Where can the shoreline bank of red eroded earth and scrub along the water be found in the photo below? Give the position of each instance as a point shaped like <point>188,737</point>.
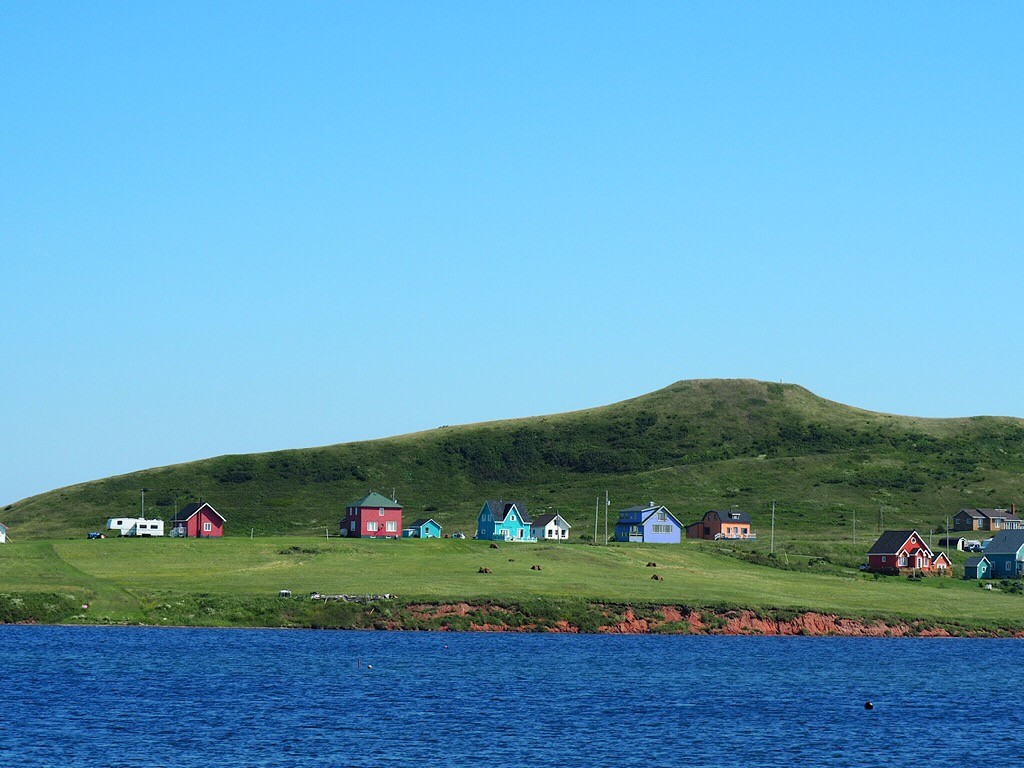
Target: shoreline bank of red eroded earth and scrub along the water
<point>556,617</point>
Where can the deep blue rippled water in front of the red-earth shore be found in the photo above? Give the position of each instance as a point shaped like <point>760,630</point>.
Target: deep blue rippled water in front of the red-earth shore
<point>119,698</point>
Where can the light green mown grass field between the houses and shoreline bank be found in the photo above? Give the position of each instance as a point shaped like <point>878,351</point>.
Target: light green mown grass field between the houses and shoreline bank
<point>133,580</point>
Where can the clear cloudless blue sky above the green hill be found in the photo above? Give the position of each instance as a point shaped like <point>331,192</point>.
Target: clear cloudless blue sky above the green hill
<point>240,228</point>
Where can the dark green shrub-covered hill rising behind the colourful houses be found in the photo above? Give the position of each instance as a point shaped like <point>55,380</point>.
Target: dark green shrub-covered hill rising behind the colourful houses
<point>694,446</point>
